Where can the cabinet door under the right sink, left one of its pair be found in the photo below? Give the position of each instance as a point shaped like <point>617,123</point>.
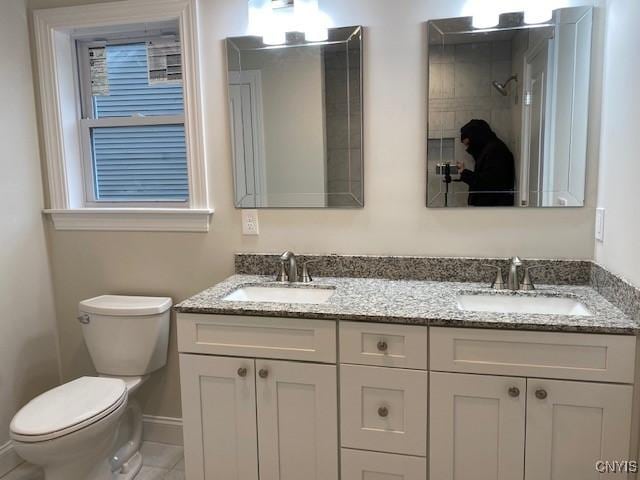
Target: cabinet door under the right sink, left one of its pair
<point>476,427</point>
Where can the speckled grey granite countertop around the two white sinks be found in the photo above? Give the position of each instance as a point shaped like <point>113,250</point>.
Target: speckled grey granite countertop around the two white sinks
<point>414,302</point>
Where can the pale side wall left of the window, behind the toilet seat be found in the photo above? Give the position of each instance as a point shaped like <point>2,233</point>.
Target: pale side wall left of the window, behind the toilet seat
<point>28,344</point>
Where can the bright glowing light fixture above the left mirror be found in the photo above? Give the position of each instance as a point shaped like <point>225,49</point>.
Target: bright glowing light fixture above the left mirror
<point>271,19</point>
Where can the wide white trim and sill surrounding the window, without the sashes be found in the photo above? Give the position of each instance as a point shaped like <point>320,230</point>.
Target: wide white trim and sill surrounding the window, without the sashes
<point>61,116</point>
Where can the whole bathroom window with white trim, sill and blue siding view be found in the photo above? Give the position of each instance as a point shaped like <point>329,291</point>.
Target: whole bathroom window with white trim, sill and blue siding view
<point>122,116</point>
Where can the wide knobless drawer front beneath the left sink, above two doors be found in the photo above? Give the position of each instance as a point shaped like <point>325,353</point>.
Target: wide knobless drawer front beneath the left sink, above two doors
<point>261,337</point>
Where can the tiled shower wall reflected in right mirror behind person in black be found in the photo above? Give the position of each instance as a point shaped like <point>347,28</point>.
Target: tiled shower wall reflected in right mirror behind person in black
<point>460,89</point>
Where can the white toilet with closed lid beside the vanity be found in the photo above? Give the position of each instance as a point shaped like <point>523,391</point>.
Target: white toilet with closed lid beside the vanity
<point>72,431</point>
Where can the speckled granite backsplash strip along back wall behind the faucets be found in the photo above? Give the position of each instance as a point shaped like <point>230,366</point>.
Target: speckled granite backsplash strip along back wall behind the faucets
<point>439,269</point>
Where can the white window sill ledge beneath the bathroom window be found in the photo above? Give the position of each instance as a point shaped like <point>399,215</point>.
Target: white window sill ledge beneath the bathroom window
<point>132,219</point>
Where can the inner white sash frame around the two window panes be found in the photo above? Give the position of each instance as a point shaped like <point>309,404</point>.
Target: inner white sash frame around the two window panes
<point>88,121</point>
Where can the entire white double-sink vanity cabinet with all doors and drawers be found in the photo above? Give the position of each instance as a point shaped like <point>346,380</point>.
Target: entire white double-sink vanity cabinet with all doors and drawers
<point>267,398</point>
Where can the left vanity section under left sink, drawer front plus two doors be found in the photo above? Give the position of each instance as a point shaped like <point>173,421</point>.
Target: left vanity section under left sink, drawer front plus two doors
<point>247,418</point>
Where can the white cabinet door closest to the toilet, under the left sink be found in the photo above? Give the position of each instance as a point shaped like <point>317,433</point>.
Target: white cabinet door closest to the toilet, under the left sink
<point>219,416</point>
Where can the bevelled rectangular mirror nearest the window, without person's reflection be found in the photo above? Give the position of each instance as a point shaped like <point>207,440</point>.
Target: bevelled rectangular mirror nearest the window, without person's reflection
<point>296,121</point>
